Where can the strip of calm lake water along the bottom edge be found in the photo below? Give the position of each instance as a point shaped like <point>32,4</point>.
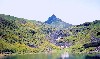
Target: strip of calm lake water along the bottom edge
<point>53,56</point>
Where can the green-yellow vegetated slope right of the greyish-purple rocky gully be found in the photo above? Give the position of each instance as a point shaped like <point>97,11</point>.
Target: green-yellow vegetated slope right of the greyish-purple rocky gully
<point>85,37</point>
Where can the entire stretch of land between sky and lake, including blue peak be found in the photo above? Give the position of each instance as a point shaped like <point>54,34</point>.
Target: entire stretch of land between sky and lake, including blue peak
<point>19,35</point>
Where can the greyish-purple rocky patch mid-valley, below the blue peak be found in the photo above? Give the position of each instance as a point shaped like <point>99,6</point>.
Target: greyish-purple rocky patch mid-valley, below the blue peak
<point>59,34</point>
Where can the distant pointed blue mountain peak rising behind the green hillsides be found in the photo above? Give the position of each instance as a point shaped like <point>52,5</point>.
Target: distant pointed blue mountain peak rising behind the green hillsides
<point>57,23</point>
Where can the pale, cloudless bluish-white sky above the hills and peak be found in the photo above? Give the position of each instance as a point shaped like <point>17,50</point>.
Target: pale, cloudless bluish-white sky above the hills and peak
<point>71,11</point>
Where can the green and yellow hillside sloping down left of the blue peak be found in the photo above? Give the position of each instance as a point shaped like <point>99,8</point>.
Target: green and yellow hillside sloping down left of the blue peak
<point>18,35</point>
